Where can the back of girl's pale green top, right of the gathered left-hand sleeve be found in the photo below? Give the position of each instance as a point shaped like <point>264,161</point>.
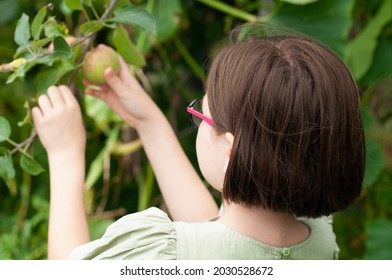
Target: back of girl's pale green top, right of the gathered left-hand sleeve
<point>214,240</point>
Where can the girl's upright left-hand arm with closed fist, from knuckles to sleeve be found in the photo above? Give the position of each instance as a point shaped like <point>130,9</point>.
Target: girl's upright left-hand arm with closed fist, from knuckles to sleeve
<point>59,125</point>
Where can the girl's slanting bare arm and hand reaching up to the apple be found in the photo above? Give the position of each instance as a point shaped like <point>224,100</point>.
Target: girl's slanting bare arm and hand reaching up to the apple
<point>184,192</point>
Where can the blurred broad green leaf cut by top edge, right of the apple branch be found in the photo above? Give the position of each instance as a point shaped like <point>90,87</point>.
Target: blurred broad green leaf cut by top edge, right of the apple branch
<point>167,15</point>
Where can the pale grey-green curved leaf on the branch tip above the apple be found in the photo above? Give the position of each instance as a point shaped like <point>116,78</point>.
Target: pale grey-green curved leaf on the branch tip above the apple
<point>136,17</point>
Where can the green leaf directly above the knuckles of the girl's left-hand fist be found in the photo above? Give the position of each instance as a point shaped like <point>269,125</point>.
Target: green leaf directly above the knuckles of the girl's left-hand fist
<point>52,75</point>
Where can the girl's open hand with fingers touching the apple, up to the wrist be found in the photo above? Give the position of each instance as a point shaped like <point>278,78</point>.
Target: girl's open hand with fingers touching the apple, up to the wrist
<point>124,95</point>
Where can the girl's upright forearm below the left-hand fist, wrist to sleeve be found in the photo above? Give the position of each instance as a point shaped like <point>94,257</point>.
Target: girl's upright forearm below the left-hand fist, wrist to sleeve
<point>67,221</point>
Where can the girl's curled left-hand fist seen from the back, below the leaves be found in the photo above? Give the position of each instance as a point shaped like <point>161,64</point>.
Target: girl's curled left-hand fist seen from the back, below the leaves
<point>58,121</point>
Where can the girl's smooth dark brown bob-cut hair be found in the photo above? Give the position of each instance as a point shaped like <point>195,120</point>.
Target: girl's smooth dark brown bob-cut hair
<point>294,110</point>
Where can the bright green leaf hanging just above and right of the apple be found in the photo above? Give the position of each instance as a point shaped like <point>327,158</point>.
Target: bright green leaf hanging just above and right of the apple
<point>124,46</point>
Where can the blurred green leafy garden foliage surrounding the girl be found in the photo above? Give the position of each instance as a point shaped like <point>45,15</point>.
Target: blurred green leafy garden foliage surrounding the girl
<point>168,43</point>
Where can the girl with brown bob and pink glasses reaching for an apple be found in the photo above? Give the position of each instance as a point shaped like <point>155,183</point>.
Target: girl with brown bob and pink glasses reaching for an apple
<point>279,134</point>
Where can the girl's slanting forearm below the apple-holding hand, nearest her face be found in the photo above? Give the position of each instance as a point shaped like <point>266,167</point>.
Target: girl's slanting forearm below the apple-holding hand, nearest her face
<point>185,194</point>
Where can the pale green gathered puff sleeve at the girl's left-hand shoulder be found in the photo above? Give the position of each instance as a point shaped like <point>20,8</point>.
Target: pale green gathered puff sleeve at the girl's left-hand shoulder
<point>149,234</point>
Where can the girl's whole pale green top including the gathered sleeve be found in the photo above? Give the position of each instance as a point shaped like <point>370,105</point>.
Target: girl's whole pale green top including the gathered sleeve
<point>151,235</point>
